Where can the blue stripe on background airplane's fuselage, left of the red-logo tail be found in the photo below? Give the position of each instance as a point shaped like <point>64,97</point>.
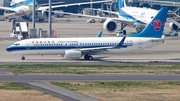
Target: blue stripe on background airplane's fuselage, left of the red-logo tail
<point>129,17</point>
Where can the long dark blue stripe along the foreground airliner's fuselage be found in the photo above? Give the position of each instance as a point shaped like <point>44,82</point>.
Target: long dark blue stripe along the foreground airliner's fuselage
<point>24,48</point>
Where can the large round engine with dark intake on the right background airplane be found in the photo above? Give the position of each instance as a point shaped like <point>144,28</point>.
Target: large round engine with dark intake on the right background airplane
<point>110,25</point>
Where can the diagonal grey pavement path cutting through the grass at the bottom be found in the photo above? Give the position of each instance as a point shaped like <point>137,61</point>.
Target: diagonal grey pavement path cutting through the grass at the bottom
<point>58,92</point>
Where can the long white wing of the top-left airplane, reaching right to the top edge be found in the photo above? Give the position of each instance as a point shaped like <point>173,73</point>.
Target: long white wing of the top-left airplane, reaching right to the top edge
<point>74,4</point>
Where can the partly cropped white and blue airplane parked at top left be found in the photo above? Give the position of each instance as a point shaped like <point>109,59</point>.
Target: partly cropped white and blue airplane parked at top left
<point>24,7</point>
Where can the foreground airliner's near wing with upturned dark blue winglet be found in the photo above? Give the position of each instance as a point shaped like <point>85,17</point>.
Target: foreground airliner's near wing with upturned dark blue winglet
<point>98,50</point>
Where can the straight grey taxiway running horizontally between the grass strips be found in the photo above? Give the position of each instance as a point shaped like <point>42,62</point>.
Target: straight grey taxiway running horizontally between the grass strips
<point>68,78</point>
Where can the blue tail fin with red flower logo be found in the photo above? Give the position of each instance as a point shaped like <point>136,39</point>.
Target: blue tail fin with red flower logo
<point>156,27</point>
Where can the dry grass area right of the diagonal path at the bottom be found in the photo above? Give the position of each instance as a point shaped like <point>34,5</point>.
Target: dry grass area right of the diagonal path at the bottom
<point>126,91</point>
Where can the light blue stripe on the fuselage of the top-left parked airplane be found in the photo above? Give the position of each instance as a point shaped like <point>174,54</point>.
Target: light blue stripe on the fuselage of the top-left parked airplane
<point>27,2</point>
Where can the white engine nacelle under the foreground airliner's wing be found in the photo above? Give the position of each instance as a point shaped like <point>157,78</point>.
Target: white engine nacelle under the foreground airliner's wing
<point>73,54</point>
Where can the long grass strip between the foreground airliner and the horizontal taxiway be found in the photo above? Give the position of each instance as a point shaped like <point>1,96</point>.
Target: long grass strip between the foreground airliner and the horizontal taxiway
<point>93,69</point>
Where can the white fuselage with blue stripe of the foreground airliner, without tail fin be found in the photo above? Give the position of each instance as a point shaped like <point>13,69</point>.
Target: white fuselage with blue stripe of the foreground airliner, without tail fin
<point>56,46</point>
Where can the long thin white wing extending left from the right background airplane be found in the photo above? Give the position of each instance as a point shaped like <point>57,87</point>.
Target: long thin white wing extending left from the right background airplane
<point>119,19</point>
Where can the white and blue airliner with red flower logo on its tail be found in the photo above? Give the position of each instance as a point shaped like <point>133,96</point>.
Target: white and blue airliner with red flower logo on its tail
<point>75,48</point>
